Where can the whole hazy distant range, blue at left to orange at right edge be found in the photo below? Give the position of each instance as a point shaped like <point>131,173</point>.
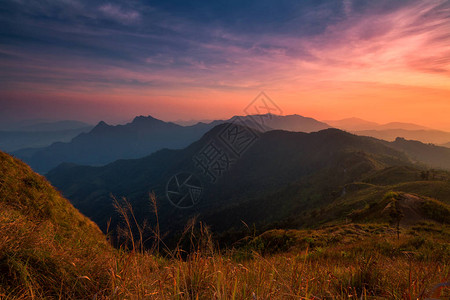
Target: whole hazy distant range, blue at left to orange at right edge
<point>145,135</point>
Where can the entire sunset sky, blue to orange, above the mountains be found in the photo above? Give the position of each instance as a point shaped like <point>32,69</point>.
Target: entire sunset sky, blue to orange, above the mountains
<point>111,60</point>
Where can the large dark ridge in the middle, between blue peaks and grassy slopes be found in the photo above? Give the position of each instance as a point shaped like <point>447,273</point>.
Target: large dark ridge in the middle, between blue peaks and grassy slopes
<point>294,158</point>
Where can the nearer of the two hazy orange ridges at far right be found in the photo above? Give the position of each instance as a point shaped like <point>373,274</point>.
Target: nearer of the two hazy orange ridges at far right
<point>426,136</point>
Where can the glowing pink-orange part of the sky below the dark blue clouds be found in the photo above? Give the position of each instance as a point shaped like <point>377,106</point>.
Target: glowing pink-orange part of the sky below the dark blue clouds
<point>382,67</point>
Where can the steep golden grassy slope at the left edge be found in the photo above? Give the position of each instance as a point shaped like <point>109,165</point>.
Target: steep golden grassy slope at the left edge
<point>46,246</point>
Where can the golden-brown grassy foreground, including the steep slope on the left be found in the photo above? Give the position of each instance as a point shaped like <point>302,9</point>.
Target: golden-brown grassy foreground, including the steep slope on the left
<point>49,250</point>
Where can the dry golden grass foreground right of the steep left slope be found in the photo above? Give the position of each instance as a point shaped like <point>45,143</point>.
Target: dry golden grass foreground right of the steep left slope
<point>369,265</point>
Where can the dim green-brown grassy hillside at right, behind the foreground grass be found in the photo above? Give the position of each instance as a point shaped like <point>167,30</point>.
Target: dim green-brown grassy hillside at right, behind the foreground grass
<point>297,205</point>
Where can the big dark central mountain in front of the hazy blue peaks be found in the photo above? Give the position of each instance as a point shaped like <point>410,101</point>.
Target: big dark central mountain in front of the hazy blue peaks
<point>279,176</point>
